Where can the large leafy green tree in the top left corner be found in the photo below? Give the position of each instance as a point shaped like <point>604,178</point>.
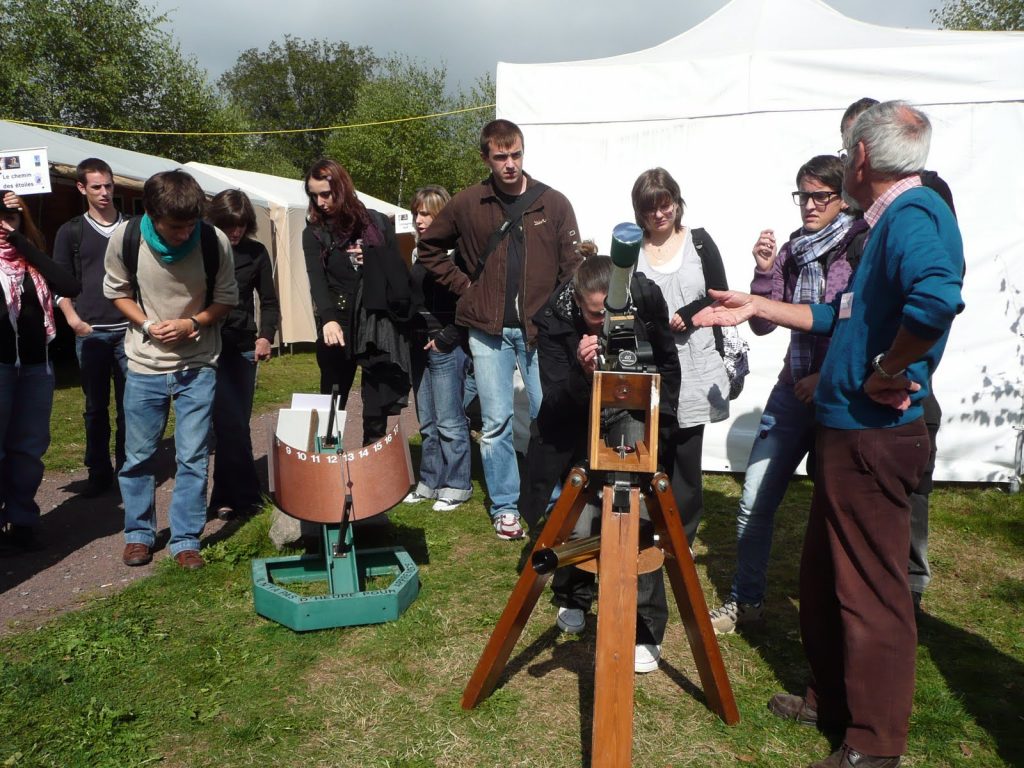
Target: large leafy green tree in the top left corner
<point>108,64</point>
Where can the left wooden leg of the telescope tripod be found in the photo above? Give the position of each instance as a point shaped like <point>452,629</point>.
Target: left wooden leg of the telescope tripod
<point>526,594</point>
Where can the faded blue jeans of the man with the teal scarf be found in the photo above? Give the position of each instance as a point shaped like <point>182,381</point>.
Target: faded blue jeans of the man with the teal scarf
<point>148,402</point>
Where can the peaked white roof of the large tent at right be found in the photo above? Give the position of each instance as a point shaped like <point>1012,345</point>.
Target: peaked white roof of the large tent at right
<point>766,56</point>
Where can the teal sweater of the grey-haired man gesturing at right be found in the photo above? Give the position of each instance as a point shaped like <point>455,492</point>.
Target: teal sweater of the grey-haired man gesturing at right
<point>911,275</point>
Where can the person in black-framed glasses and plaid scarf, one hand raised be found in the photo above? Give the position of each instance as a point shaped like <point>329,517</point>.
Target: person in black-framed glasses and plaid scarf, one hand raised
<point>815,266</point>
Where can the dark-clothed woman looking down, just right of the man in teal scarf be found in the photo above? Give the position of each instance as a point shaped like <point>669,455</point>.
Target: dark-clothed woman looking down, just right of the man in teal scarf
<point>236,483</point>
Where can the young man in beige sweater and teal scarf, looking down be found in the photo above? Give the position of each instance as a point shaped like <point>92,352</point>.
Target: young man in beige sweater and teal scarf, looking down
<point>173,348</point>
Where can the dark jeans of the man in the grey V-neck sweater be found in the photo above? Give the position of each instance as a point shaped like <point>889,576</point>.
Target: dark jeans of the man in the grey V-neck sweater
<point>101,358</point>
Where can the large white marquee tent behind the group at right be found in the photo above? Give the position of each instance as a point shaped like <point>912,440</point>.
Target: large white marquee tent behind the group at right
<point>734,107</point>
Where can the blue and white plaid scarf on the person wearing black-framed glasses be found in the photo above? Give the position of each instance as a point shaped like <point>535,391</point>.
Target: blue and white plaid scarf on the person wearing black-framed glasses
<point>808,251</point>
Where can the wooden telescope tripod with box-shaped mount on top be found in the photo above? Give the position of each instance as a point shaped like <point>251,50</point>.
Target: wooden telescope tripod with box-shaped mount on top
<point>625,472</point>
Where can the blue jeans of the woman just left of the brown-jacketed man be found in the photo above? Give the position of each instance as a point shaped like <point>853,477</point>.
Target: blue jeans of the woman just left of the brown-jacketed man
<point>445,467</point>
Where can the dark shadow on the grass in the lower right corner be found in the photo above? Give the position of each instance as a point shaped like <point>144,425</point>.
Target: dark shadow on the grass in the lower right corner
<point>989,685</point>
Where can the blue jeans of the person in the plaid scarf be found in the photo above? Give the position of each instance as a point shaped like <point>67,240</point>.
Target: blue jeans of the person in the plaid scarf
<point>785,436</point>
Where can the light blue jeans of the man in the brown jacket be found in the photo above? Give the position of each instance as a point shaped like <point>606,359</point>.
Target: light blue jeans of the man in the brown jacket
<point>495,360</point>
